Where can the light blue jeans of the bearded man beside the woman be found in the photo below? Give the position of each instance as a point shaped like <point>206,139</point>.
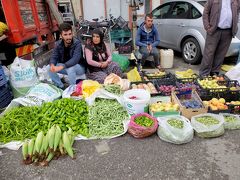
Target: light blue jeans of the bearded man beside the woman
<point>72,73</point>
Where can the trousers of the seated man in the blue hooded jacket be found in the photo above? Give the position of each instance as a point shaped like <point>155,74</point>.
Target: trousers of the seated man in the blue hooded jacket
<point>145,53</point>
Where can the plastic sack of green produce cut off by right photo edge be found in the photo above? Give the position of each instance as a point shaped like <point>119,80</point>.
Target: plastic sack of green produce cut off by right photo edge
<point>231,121</point>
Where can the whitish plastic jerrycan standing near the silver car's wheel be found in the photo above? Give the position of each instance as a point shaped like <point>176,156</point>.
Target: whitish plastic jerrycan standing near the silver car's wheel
<point>166,57</point>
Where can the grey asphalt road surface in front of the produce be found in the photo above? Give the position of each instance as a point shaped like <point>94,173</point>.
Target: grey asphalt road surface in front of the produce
<point>129,158</point>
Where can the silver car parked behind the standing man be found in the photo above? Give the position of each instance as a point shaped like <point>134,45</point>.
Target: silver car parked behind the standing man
<point>180,26</point>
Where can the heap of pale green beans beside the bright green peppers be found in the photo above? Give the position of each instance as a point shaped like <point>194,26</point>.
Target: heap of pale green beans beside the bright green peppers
<point>106,118</point>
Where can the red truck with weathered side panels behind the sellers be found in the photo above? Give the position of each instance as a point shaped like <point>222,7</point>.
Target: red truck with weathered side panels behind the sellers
<point>31,25</point>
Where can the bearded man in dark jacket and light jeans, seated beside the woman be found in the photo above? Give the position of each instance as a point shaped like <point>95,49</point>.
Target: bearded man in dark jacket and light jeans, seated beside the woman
<point>66,57</point>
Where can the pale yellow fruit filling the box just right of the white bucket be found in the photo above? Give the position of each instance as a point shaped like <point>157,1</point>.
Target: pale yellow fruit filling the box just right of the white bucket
<point>164,106</point>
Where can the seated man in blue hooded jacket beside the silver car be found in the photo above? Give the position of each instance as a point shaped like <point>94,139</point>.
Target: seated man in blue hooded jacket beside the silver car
<point>147,39</point>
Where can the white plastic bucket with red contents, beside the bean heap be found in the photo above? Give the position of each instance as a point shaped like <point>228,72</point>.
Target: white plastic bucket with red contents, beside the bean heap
<point>138,105</point>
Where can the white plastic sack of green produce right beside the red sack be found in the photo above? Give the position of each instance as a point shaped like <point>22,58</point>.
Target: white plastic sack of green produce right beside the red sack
<point>175,129</point>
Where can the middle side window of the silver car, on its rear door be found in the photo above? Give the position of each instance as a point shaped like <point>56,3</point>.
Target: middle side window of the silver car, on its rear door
<point>180,11</point>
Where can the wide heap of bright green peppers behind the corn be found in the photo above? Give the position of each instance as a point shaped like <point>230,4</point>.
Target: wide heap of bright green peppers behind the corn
<point>25,122</point>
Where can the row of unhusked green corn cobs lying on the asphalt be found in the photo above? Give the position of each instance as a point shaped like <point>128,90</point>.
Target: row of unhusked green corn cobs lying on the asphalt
<point>54,144</point>
